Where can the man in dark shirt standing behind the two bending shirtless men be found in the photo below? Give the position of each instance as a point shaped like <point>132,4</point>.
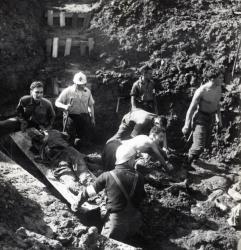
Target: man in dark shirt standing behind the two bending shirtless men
<point>142,92</point>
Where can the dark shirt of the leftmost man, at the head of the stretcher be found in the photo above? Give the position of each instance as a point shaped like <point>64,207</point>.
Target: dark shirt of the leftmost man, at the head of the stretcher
<point>38,113</point>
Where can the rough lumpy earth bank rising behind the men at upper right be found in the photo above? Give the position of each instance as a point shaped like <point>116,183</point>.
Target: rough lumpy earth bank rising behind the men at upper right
<point>180,41</point>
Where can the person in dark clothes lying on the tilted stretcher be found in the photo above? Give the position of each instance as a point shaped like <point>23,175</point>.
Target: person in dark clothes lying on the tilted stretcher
<point>66,163</point>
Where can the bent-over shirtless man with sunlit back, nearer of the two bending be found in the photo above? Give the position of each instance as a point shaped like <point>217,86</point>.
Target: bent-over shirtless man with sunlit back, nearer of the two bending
<point>151,144</point>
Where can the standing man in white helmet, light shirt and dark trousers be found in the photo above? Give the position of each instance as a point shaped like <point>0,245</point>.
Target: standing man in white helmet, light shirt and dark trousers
<point>78,105</point>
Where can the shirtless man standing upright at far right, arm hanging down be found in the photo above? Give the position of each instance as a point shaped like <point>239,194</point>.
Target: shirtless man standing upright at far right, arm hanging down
<point>202,112</point>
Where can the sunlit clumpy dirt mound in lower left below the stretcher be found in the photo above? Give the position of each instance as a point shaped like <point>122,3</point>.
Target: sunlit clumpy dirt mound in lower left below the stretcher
<point>32,218</point>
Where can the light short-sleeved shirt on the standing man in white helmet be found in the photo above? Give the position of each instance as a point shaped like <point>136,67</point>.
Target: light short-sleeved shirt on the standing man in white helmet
<point>81,99</point>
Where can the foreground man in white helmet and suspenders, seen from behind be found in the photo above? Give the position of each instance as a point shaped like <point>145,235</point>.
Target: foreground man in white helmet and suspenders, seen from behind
<point>125,191</point>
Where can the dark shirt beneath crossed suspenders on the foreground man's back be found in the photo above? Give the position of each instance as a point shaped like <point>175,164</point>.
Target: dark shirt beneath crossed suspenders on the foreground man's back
<point>116,200</point>
